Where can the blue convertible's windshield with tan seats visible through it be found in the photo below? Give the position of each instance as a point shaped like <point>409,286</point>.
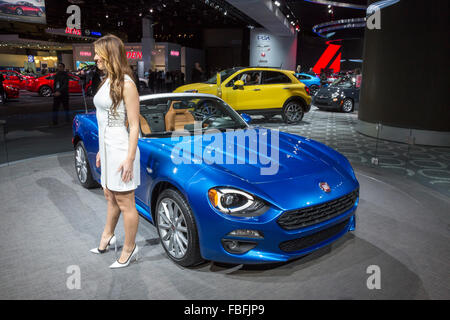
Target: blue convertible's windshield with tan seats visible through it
<point>186,114</point>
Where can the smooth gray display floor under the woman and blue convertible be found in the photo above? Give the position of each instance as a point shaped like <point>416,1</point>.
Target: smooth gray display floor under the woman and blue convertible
<point>48,223</point>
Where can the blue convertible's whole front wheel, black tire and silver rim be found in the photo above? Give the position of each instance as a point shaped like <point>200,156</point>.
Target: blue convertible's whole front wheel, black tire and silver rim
<point>188,245</point>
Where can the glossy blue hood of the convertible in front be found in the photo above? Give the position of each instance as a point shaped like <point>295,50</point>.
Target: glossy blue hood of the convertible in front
<point>289,156</point>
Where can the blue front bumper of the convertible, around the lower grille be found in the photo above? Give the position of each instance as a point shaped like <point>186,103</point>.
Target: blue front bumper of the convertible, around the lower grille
<point>277,244</point>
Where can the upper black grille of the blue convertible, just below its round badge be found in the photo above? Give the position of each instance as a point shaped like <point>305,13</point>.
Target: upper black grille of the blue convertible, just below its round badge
<point>304,217</point>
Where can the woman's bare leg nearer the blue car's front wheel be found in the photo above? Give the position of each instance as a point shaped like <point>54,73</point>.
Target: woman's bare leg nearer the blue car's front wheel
<point>127,205</point>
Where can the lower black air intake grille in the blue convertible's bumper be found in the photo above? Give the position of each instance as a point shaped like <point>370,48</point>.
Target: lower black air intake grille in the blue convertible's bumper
<point>315,238</point>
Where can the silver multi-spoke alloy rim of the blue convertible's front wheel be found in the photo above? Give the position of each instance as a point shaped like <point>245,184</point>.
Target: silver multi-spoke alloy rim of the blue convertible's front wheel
<point>172,228</point>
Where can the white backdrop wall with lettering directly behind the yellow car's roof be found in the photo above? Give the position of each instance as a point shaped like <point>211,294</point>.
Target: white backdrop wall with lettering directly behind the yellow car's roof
<point>268,50</point>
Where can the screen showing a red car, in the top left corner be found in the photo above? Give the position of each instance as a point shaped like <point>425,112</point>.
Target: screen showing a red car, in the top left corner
<point>32,11</point>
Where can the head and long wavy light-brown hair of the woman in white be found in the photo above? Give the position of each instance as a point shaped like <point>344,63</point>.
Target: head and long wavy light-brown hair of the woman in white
<point>112,50</point>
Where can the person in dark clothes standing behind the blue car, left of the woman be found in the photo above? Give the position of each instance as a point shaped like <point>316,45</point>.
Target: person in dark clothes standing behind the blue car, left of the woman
<point>61,93</point>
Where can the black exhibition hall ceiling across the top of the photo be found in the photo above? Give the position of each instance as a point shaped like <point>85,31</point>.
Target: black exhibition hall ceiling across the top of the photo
<point>180,21</point>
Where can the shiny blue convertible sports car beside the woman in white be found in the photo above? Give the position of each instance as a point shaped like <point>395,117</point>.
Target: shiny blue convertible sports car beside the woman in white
<point>218,189</point>
